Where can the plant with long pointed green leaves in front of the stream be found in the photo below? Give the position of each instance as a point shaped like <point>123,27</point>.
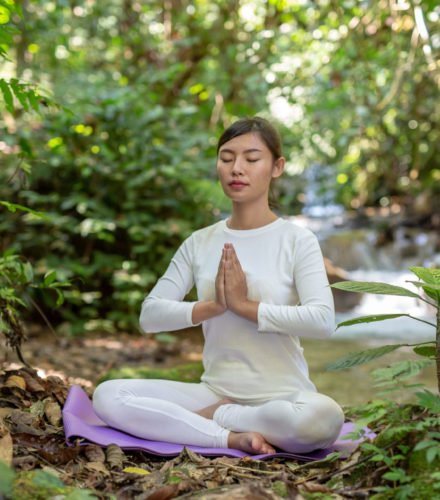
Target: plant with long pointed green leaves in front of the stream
<point>430,284</point>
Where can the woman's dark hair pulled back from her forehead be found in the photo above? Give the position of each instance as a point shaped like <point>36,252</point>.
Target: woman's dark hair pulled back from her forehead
<point>266,130</point>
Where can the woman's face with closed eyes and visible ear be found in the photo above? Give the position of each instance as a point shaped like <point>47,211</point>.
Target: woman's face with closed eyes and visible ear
<point>245,167</point>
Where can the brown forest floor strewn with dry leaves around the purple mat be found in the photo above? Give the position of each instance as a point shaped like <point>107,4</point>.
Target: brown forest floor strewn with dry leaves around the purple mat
<point>32,437</point>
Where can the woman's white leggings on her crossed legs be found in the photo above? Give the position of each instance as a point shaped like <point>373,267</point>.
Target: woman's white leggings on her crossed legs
<point>163,410</point>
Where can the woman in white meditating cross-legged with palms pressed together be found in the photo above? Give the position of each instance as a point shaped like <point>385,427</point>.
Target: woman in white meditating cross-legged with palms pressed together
<point>261,284</point>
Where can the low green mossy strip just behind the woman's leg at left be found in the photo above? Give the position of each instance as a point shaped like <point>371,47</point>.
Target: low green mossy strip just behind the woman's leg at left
<point>190,372</point>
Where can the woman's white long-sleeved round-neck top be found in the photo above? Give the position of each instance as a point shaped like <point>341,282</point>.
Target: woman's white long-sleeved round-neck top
<point>285,273</point>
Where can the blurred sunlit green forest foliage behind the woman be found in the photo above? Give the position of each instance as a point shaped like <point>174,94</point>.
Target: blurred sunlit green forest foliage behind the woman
<point>125,167</point>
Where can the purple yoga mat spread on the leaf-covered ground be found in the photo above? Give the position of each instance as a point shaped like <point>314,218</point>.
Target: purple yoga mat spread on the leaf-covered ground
<point>81,421</point>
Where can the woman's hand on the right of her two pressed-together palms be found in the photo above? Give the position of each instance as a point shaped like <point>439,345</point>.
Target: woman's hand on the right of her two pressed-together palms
<point>235,280</point>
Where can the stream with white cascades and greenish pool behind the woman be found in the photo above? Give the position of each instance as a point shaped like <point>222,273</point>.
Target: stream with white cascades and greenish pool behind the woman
<point>364,255</point>
